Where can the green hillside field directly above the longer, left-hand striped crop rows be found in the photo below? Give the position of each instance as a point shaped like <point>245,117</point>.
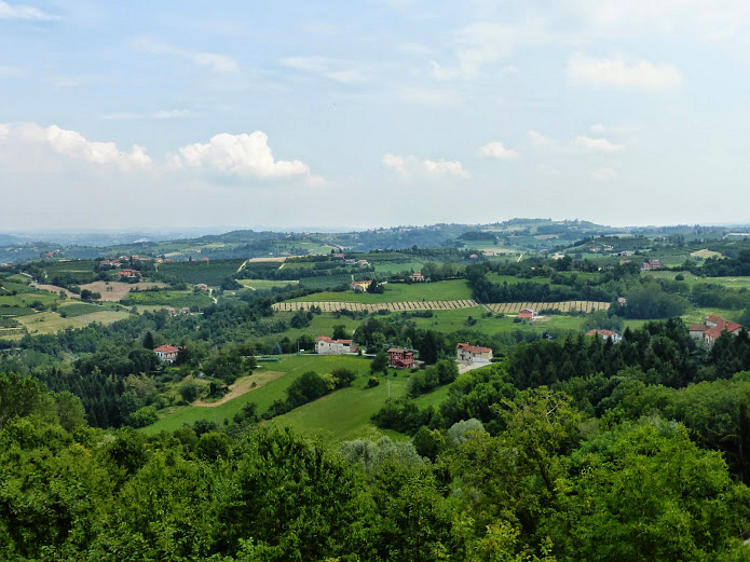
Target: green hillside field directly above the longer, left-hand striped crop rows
<point>398,292</point>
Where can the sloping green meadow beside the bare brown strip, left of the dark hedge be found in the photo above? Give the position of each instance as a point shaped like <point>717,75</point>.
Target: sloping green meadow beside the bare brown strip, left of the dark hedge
<point>293,366</point>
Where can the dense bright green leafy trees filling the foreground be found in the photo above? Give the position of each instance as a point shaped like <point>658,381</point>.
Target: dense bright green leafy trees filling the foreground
<point>553,483</point>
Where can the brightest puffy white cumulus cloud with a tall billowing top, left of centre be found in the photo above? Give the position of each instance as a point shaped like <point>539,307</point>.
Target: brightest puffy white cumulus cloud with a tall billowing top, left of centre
<point>243,154</point>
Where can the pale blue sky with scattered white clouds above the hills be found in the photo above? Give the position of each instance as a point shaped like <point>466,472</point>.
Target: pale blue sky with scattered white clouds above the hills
<point>123,115</point>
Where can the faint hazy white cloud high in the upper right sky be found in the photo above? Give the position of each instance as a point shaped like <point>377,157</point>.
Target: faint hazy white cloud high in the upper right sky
<point>621,73</point>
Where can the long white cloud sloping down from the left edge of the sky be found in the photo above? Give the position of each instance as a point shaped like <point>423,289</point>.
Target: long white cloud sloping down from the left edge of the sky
<point>74,145</point>
